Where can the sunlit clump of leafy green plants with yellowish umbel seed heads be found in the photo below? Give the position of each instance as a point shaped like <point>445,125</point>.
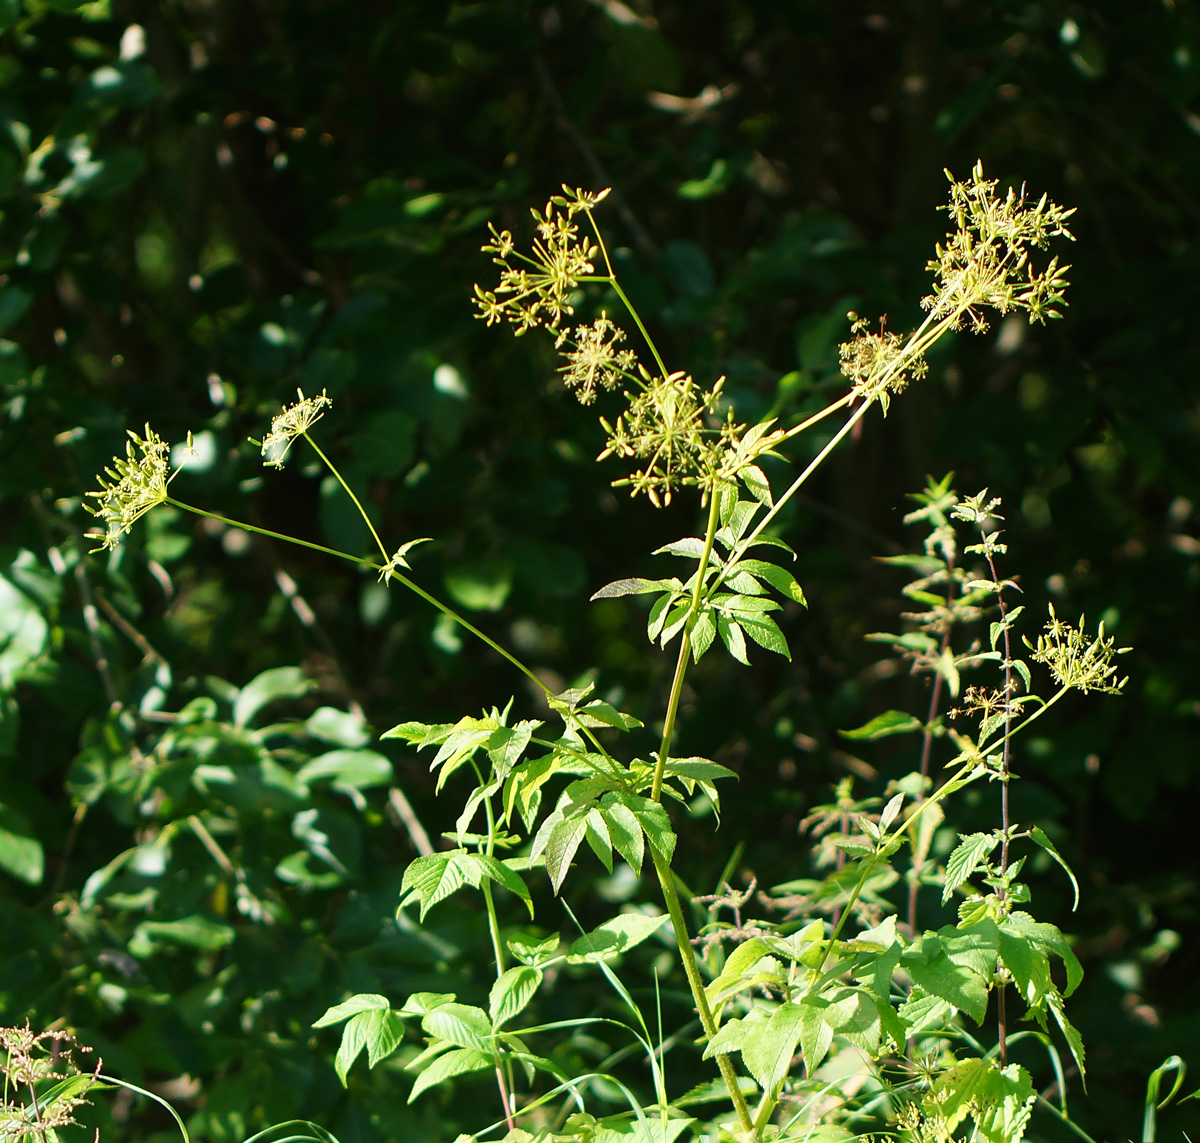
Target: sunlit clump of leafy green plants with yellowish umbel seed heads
<point>836,1015</point>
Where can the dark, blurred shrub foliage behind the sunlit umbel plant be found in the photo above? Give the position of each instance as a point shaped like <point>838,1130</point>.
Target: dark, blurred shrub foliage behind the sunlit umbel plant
<point>207,204</point>
